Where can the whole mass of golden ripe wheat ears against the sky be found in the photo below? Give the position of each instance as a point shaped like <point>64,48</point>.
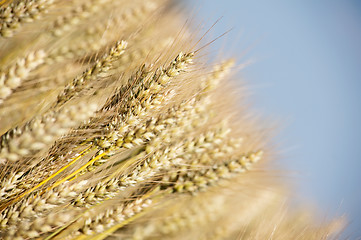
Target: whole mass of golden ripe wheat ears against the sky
<point>115,125</point>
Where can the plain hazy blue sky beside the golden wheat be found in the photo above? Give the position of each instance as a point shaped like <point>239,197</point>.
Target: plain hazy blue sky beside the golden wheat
<point>306,74</point>
